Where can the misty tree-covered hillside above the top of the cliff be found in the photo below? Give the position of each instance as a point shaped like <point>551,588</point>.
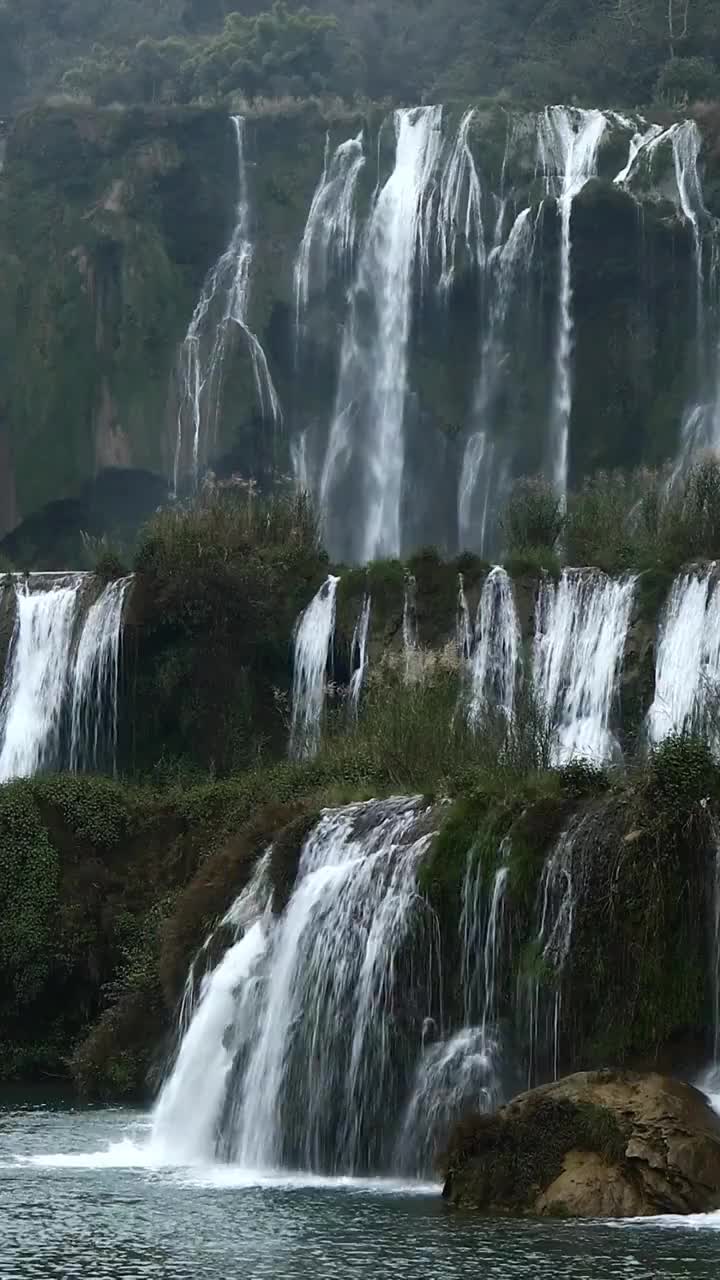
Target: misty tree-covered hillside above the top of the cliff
<point>622,53</point>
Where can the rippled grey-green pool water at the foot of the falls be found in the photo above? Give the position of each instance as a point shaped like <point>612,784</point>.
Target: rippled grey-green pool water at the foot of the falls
<point>80,1197</point>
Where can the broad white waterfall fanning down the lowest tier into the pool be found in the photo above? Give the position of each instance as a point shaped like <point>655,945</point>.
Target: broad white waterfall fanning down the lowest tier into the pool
<point>308,1032</point>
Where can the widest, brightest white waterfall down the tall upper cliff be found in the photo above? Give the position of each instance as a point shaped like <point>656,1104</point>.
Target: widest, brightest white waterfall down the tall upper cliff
<point>368,424</point>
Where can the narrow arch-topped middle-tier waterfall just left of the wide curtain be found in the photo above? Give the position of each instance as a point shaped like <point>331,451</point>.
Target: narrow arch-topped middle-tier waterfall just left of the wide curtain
<point>496,660</point>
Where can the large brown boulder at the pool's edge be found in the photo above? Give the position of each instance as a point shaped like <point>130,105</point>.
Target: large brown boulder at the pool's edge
<point>596,1145</point>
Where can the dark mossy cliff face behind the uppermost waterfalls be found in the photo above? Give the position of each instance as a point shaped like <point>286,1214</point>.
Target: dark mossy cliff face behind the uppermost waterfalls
<point>111,222</point>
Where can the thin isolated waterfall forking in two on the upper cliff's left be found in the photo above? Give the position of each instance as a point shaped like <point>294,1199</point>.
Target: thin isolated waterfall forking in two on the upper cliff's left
<point>221,309</point>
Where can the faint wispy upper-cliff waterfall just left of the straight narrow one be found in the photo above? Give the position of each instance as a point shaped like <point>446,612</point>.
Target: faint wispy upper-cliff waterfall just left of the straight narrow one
<point>473,499</point>
